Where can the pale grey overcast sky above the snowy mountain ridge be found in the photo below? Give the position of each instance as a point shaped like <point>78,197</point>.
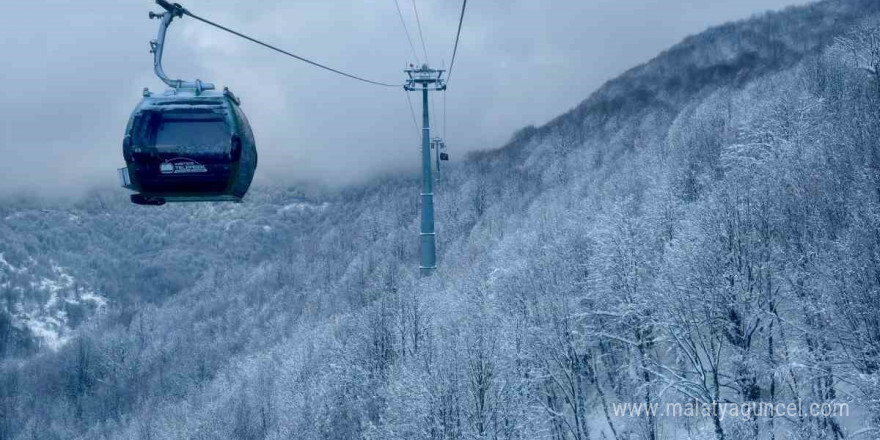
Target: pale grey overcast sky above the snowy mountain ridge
<point>73,71</point>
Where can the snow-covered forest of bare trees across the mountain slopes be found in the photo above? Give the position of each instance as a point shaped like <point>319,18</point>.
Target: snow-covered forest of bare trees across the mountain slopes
<point>704,228</point>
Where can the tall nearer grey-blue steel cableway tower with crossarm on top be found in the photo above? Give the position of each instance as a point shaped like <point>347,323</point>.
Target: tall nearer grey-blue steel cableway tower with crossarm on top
<point>426,80</point>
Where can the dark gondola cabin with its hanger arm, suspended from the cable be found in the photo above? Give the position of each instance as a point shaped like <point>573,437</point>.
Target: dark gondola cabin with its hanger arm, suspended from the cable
<point>188,144</point>
